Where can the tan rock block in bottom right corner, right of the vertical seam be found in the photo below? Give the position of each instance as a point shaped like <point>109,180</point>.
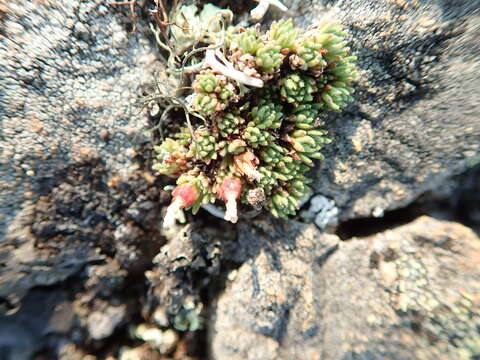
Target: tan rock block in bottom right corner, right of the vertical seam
<point>404,293</point>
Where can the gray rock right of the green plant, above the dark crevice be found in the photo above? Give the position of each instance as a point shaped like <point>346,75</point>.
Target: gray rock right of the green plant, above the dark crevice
<point>414,122</point>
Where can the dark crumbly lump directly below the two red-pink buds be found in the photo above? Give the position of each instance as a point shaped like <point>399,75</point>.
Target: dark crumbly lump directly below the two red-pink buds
<point>184,269</point>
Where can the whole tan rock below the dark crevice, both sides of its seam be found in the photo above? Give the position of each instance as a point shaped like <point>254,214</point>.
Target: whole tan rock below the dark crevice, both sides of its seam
<point>411,292</point>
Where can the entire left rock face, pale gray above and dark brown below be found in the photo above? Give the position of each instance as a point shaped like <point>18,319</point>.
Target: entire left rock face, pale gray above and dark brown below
<point>78,211</point>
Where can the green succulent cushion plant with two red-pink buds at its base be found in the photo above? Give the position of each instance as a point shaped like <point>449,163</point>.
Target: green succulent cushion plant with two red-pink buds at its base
<point>260,137</point>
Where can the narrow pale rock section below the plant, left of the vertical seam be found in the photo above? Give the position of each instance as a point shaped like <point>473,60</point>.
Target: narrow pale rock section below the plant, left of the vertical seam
<point>274,285</point>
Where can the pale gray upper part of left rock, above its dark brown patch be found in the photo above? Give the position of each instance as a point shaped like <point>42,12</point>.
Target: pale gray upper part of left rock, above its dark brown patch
<point>69,94</point>
